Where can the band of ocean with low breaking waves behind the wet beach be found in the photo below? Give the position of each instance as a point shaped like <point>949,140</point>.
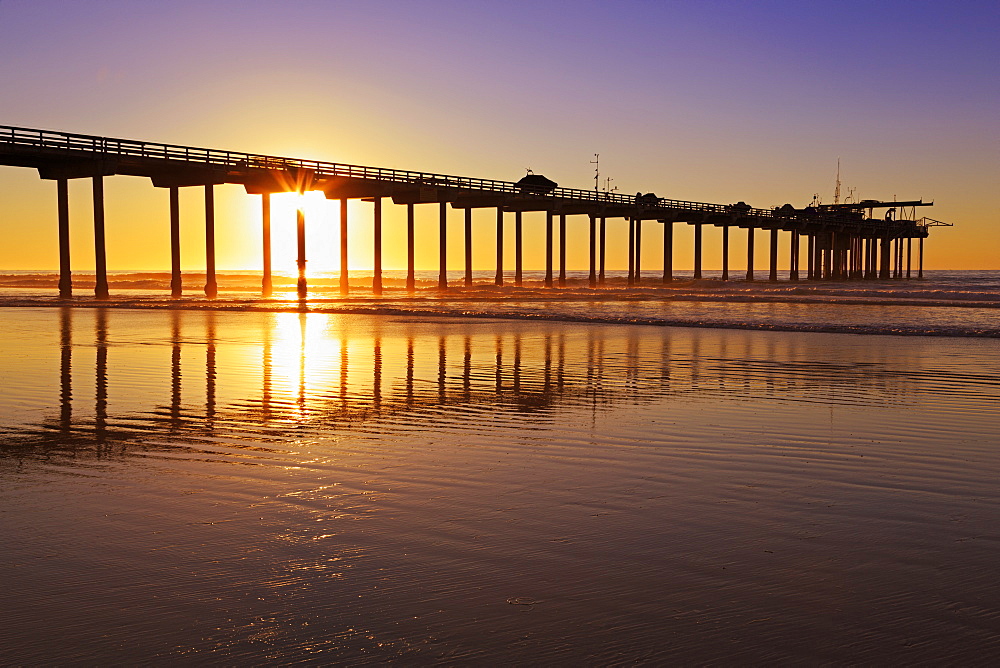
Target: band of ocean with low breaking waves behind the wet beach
<point>944,303</point>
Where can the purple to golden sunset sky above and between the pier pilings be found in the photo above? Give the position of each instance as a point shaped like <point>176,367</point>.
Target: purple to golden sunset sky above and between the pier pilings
<point>715,101</point>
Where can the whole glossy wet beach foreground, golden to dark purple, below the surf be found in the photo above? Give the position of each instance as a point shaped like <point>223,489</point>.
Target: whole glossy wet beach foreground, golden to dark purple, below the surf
<point>239,487</point>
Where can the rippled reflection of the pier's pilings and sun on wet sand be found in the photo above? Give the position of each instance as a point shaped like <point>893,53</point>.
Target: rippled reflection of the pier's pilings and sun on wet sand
<point>320,371</point>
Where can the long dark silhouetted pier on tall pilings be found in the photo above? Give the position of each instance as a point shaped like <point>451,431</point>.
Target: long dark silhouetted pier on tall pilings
<point>843,241</point>
